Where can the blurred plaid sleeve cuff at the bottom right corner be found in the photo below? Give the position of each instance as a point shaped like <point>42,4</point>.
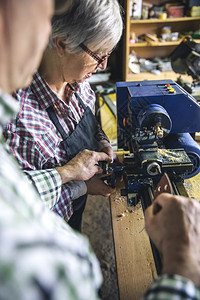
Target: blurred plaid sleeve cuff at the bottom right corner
<point>172,287</point>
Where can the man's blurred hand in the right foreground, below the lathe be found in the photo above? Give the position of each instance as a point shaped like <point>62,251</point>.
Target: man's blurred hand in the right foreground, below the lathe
<point>175,230</point>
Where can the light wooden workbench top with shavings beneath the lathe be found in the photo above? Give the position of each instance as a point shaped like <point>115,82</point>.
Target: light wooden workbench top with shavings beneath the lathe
<point>135,265</point>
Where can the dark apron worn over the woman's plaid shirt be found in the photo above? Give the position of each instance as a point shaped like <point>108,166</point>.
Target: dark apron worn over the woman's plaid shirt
<point>83,137</point>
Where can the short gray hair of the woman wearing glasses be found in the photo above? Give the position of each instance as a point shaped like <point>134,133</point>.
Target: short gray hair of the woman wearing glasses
<point>96,23</point>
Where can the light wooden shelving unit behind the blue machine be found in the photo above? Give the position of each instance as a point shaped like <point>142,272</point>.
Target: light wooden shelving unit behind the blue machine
<point>155,49</point>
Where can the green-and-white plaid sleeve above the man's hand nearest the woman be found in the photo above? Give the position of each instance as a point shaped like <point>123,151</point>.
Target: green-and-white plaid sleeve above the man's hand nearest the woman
<point>48,184</point>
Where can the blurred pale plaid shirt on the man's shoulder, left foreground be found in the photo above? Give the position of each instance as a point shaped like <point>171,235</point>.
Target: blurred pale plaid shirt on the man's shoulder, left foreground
<point>41,257</point>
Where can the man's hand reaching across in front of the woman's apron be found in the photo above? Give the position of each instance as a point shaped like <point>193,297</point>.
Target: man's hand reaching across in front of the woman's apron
<point>83,166</point>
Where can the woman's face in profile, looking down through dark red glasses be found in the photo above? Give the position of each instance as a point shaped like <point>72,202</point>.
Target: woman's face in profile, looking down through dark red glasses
<point>79,67</point>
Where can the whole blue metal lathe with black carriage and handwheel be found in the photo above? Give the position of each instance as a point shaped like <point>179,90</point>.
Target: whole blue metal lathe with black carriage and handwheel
<point>155,120</point>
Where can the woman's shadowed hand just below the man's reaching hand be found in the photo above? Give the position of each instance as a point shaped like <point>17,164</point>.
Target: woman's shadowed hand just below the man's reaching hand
<point>95,186</point>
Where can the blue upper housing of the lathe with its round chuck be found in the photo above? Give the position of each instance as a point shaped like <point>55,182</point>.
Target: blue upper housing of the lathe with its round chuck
<point>158,114</point>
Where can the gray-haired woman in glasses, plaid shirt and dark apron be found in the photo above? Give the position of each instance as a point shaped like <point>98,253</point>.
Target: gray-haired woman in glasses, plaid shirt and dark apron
<point>56,119</point>
